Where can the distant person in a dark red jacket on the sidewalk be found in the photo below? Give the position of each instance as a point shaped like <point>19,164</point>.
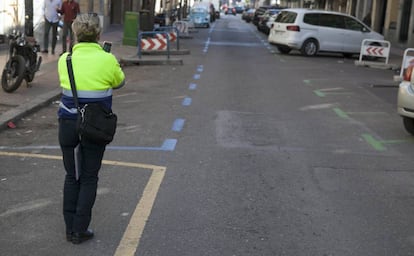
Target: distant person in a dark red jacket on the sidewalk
<point>70,9</point>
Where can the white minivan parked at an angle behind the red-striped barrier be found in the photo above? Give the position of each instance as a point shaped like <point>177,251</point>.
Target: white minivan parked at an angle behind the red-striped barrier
<point>313,31</point>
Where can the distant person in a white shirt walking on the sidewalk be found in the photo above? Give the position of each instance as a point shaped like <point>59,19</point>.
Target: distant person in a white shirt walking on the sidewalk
<point>51,16</point>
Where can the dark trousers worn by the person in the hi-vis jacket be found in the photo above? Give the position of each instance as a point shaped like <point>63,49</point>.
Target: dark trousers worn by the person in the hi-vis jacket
<point>78,194</point>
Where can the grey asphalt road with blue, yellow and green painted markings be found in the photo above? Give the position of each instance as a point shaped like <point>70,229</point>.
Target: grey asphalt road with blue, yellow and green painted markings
<point>240,151</point>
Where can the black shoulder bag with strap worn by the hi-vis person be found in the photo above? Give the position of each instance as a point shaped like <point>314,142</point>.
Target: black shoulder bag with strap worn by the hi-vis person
<point>95,122</point>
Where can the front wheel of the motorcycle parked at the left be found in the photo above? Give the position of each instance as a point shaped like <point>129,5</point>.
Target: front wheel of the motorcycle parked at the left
<point>12,77</point>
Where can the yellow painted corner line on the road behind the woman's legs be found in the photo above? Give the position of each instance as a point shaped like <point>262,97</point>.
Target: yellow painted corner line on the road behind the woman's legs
<point>132,235</point>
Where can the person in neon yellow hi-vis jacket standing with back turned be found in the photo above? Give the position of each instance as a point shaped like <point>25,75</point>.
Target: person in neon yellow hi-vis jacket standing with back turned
<point>96,73</point>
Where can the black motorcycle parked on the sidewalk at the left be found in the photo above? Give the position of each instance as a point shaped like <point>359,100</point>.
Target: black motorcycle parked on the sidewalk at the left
<point>22,61</point>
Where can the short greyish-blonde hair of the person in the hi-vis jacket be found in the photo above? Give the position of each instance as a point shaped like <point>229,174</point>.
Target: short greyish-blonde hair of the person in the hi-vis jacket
<point>86,27</point>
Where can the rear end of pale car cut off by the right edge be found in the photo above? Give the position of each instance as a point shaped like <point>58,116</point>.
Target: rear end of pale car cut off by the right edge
<point>405,100</point>
